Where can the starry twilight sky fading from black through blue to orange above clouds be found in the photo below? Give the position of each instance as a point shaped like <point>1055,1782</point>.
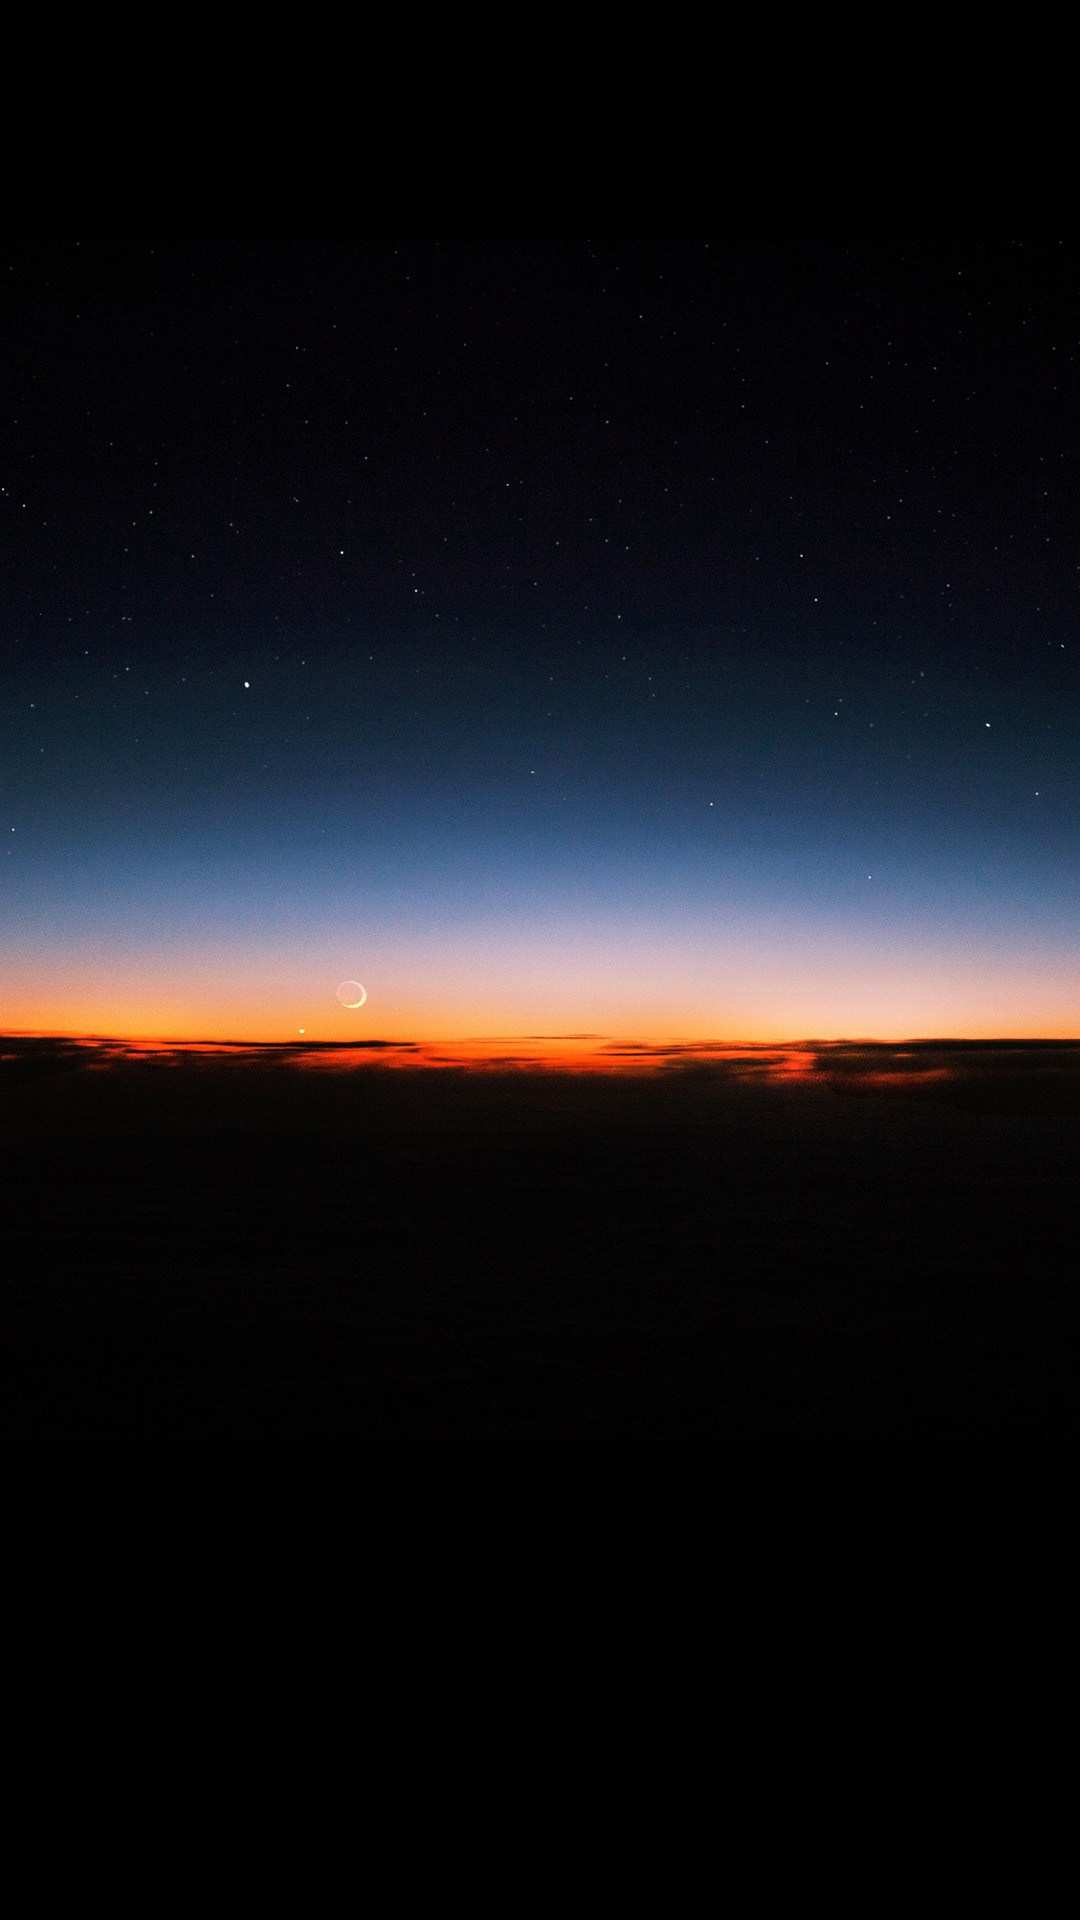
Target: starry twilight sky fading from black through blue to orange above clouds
<point>639,640</point>
